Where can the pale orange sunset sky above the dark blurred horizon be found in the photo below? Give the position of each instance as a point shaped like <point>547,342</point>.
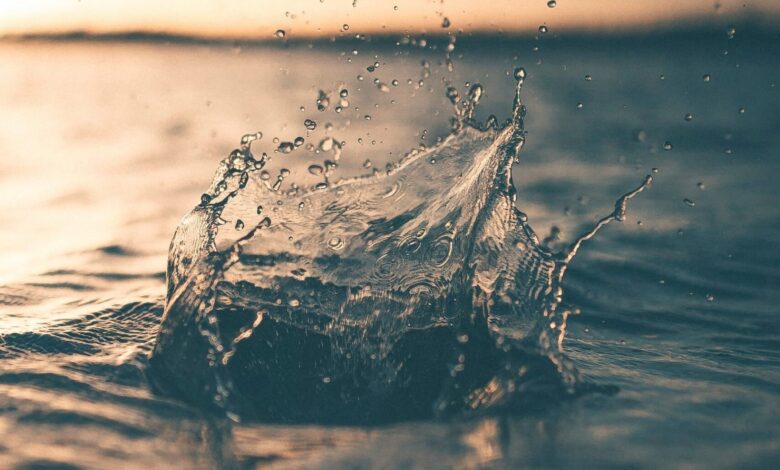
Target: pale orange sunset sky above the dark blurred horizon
<point>317,18</point>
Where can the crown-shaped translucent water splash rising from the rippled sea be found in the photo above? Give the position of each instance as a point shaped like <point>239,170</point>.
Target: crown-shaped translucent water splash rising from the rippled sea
<point>414,292</point>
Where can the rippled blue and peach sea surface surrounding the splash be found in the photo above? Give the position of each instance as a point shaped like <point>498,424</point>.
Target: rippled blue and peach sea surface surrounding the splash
<point>106,145</point>
